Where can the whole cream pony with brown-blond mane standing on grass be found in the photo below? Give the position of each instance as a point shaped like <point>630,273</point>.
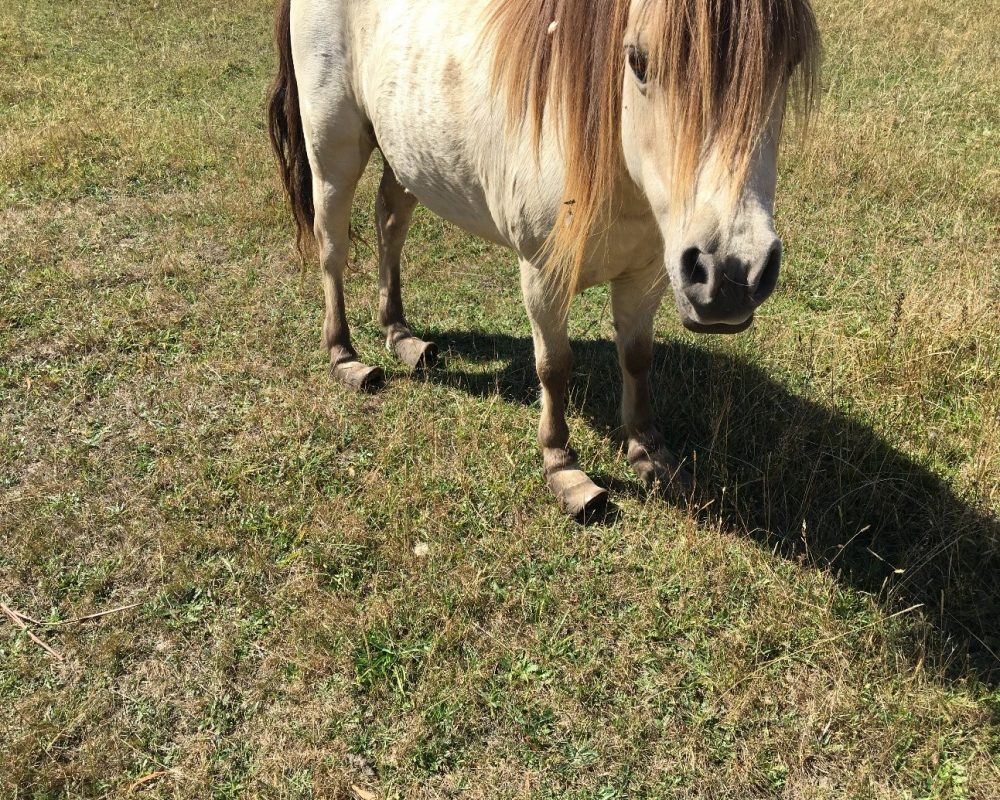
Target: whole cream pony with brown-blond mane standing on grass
<point>630,142</point>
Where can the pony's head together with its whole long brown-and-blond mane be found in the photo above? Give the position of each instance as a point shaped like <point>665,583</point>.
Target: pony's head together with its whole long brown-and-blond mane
<point>685,97</point>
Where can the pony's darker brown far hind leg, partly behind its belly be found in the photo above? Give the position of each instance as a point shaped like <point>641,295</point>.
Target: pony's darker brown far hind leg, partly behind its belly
<point>394,209</point>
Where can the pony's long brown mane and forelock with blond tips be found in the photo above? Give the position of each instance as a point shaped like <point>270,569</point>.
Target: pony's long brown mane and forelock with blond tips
<point>720,64</point>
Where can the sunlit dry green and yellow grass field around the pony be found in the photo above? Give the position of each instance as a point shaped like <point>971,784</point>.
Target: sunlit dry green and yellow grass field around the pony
<point>346,596</point>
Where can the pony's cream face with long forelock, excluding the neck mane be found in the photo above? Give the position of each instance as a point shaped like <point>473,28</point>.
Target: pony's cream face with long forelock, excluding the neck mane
<point>702,109</point>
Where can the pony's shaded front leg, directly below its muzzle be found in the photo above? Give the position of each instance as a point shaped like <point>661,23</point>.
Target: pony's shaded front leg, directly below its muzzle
<point>634,302</point>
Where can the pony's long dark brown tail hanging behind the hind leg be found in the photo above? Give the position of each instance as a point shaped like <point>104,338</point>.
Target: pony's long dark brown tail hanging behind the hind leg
<point>285,126</point>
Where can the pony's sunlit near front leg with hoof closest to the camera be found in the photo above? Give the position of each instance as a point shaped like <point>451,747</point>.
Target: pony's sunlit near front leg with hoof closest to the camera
<point>579,496</point>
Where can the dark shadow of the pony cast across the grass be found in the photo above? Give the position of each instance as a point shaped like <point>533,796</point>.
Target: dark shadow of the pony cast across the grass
<point>806,481</point>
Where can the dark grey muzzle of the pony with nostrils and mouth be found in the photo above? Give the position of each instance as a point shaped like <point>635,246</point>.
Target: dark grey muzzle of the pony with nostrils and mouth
<point>718,293</point>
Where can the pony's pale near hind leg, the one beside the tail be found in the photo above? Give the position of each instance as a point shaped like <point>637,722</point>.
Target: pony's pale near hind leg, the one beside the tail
<point>335,180</point>
